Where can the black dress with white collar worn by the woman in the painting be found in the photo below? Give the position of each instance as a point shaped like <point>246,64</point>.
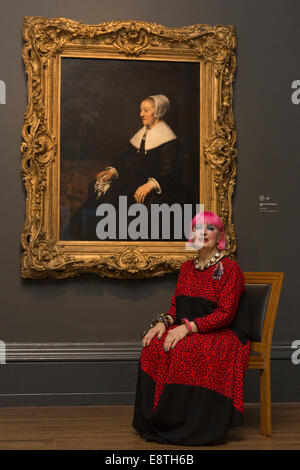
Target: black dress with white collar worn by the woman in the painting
<point>158,158</point>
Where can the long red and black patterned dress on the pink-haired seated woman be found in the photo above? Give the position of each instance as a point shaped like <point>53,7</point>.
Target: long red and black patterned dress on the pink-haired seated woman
<point>193,393</point>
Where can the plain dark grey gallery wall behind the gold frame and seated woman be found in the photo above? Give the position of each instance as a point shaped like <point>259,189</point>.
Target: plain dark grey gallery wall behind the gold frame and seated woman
<point>112,313</point>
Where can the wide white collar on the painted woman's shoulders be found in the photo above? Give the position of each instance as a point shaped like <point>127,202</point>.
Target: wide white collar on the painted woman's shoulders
<point>158,135</point>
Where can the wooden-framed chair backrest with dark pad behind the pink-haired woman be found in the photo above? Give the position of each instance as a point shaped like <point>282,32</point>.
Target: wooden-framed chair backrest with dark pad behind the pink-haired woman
<point>263,291</point>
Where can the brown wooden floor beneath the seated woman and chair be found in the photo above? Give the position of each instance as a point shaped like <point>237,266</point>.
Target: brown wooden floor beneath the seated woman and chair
<point>109,428</point>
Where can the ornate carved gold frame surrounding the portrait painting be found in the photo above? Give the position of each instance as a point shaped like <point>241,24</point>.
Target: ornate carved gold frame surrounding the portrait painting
<point>45,41</point>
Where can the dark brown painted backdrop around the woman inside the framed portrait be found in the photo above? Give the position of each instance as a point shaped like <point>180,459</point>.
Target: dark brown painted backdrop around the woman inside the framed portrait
<point>100,108</point>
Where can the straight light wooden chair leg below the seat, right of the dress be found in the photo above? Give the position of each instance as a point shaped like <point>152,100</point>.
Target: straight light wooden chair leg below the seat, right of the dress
<point>265,401</point>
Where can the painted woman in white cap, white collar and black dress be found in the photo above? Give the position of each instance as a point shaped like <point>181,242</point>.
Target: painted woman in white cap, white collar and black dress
<point>149,171</point>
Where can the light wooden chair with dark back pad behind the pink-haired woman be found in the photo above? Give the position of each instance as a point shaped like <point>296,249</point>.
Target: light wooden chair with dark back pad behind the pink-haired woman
<point>263,291</point>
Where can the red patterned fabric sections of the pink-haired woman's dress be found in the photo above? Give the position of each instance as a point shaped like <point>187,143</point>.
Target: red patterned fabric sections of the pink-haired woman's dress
<point>213,358</point>
